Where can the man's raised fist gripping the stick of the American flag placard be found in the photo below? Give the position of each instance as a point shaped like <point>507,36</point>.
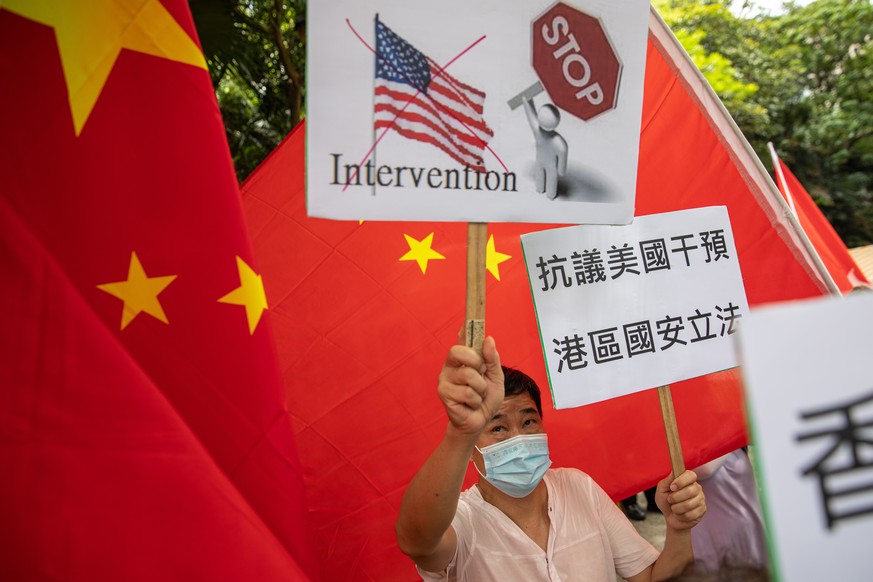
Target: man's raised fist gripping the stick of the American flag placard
<point>471,386</point>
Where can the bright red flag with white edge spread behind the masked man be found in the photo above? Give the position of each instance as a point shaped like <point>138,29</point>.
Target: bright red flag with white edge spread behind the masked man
<point>364,314</point>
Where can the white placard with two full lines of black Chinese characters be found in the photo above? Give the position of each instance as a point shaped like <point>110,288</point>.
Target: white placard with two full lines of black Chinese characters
<point>627,308</point>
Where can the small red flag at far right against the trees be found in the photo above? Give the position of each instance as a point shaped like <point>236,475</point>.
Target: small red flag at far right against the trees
<point>824,238</point>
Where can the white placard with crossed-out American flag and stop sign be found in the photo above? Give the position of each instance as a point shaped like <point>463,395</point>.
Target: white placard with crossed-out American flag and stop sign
<point>394,138</point>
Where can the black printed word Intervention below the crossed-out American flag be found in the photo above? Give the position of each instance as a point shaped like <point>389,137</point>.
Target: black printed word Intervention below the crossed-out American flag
<point>404,176</point>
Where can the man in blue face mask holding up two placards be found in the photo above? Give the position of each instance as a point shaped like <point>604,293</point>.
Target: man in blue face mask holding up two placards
<point>523,521</point>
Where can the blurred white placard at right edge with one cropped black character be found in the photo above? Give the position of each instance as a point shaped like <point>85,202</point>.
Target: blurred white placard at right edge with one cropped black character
<point>809,388</point>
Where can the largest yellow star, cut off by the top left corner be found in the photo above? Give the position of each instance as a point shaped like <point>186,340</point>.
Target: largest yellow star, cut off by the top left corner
<point>91,33</point>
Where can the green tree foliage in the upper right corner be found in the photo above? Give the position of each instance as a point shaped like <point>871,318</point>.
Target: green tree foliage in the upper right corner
<point>802,80</point>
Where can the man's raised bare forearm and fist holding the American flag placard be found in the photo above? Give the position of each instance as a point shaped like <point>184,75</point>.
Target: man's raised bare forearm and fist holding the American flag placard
<point>471,389</point>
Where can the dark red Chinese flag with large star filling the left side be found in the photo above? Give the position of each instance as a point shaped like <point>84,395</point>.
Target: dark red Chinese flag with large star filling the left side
<point>143,431</point>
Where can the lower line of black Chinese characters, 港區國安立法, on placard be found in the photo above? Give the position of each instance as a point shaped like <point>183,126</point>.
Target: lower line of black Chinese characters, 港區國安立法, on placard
<point>634,339</point>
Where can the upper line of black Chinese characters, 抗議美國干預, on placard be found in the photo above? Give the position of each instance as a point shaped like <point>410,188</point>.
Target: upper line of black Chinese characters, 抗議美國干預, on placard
<point>588,266</point>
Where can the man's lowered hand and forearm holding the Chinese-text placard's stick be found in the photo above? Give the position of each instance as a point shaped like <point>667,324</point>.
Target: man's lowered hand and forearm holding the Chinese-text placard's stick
<point>683,505</point>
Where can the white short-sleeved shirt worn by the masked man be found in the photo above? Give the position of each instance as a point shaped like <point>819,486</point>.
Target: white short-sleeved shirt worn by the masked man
<point>590,539</point>
